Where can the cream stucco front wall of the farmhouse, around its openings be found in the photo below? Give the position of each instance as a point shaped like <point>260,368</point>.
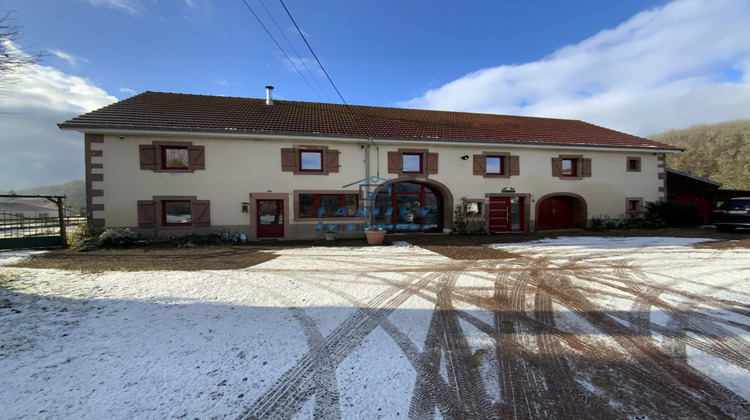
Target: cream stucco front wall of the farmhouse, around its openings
<point>237,167</point>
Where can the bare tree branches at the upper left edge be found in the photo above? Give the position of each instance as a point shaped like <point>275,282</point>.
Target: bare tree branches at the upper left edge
<point>12,57</point>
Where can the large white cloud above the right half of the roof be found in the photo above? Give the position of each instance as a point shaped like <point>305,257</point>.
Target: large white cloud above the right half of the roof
<point>663,68</point>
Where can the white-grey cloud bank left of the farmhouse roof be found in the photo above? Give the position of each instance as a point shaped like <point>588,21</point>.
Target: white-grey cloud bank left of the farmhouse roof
<point>35,151</point>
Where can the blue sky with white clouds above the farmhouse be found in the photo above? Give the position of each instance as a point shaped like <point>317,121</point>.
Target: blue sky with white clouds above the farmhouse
<point>637,66</point>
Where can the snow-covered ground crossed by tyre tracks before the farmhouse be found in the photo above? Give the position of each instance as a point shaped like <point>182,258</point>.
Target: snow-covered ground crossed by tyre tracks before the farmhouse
<point>342,332</point>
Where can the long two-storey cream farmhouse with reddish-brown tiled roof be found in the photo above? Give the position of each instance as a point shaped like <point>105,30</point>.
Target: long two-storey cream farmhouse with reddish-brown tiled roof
<point>170,164</point>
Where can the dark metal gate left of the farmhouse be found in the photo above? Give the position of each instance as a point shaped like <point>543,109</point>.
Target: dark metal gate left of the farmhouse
<point>28,226</point>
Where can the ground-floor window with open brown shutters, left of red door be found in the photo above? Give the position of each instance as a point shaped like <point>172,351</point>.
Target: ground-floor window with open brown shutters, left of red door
<point>174,212</point>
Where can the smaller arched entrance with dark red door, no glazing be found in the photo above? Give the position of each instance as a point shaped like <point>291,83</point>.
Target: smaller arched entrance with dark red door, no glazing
<point>561,211</point>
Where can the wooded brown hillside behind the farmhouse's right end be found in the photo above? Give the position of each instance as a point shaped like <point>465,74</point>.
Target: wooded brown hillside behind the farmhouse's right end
<point>720,152</point>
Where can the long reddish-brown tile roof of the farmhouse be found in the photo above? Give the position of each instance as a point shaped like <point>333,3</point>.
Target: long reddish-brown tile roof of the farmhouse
<point>181,112</point>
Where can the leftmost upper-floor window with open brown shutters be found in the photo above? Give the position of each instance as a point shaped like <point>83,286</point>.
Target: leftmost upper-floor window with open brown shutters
<point>172,157</point>
